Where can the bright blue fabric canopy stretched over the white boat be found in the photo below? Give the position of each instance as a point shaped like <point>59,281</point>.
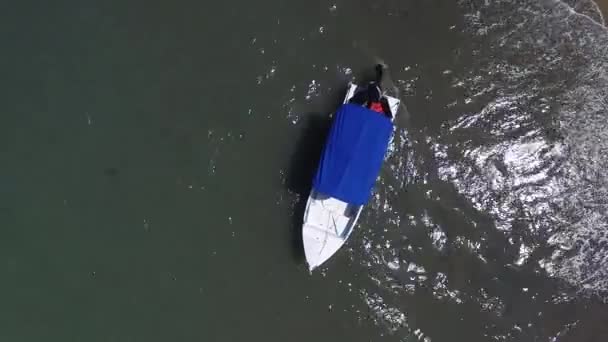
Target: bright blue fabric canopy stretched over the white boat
<point>353,154</point>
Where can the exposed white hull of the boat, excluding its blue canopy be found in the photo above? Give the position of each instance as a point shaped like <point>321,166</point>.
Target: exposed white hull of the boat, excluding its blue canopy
<point>328,222</point>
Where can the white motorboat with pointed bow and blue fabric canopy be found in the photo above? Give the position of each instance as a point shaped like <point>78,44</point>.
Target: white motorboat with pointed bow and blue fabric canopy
<point>351,161</point>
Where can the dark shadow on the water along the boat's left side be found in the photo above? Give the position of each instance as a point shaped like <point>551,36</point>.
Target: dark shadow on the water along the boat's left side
<point>314,128</point>
